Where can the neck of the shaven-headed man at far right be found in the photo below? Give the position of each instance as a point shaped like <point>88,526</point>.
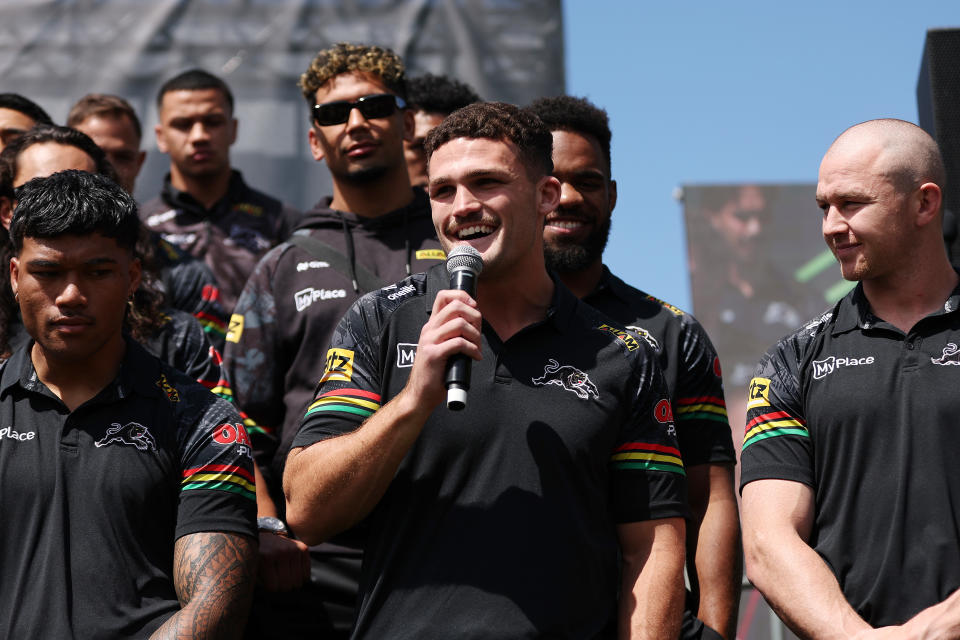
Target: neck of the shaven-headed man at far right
<point>903,299</point>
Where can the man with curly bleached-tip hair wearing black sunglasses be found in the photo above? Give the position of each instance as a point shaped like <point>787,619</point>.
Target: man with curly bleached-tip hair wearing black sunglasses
<point>374,230</point>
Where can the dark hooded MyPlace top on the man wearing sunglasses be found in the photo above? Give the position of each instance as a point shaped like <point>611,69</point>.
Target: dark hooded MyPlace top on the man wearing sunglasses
<point>293,302</point>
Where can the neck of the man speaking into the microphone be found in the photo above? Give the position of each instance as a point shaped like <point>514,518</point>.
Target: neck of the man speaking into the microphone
<point>510,304</point>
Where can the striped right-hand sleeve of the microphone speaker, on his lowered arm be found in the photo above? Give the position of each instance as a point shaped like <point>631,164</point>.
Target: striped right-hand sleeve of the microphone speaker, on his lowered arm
<point>648,478</point>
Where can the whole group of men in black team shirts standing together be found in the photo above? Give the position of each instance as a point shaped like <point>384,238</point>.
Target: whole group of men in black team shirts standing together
<point>310,482</point>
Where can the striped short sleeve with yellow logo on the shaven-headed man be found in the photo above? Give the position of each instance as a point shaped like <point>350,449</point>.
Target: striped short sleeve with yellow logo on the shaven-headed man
<point>776,442</point>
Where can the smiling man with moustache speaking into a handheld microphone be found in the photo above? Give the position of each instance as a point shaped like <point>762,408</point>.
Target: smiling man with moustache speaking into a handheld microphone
<point>507,519</point>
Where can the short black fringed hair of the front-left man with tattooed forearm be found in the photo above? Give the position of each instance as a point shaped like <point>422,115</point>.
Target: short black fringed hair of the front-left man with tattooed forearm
<point>75,203</point>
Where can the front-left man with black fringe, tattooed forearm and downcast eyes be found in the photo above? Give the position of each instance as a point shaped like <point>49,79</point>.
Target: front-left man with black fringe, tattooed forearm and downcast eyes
<point>127,492</point>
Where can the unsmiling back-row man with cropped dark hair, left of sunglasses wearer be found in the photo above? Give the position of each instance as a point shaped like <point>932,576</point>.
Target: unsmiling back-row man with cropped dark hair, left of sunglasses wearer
<point>206,208</point>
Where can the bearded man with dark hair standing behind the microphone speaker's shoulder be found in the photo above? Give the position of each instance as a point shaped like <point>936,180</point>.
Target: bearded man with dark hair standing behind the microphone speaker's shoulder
<point>575,235</point>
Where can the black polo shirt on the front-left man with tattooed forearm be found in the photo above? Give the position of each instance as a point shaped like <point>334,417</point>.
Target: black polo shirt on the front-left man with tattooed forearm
<point>94,499</point>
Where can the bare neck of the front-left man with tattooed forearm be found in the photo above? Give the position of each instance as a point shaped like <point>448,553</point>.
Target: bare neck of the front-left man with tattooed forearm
<point>76,381</point>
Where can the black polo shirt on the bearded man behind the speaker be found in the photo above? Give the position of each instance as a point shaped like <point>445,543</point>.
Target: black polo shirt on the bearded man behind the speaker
<point>689,362</point>
